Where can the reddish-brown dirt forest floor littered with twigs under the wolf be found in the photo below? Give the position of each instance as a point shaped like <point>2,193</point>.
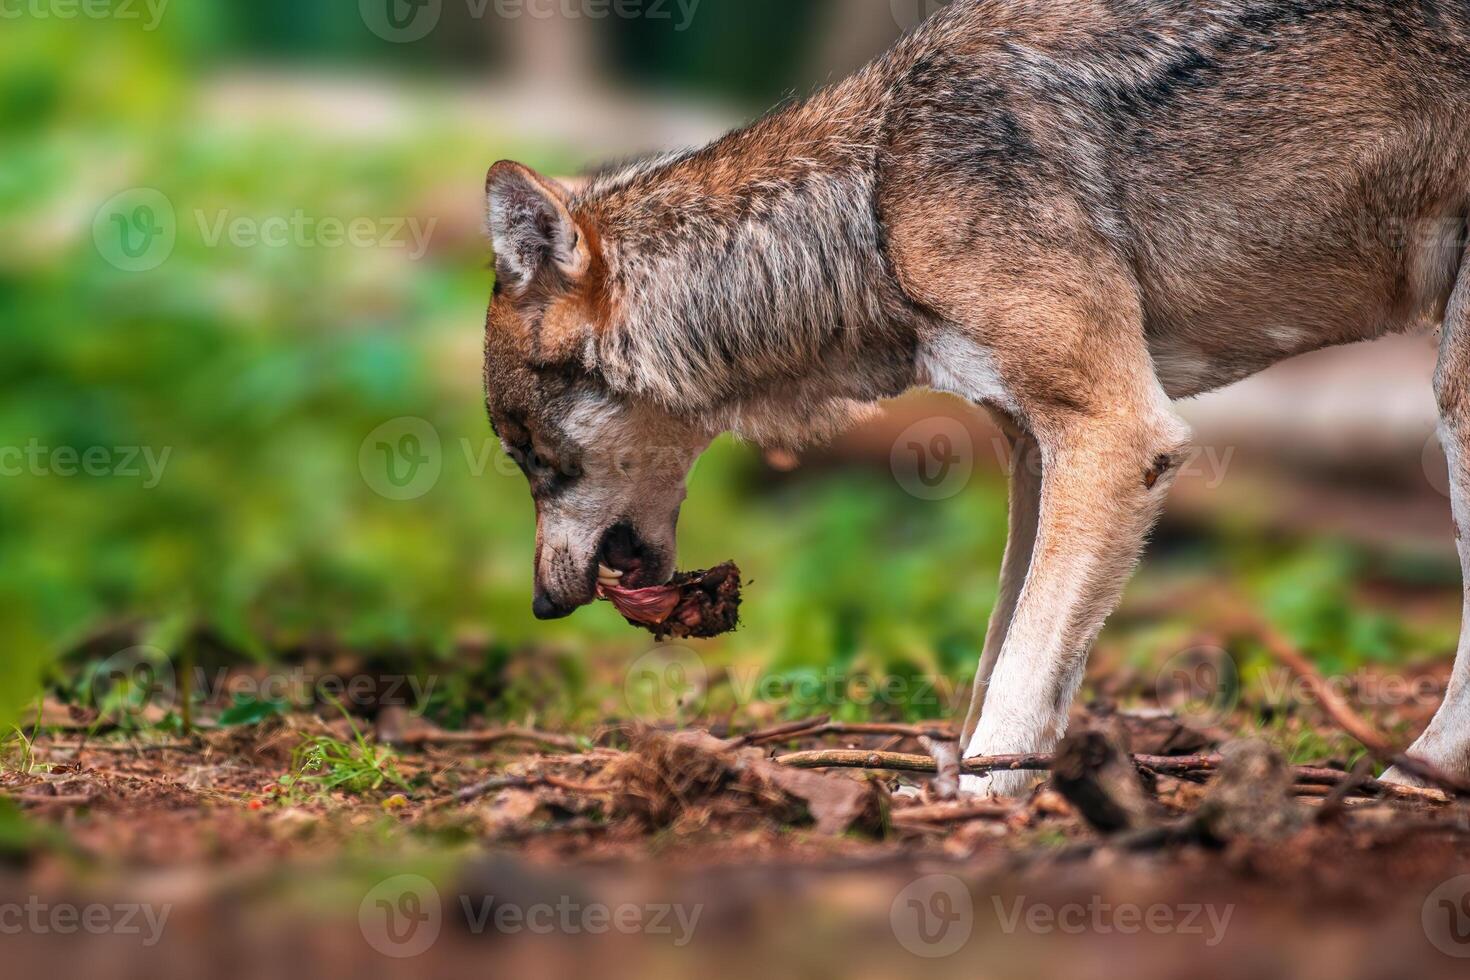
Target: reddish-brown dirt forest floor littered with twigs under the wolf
<point>514,850</point>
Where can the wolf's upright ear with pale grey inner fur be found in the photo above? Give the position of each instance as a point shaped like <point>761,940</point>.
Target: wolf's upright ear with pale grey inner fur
<point>531,227</point>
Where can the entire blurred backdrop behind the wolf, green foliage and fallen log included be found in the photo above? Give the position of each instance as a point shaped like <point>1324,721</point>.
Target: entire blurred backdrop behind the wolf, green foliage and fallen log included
<point>243,286</point>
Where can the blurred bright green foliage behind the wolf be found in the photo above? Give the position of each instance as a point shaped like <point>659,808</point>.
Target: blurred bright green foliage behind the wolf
<point>258,374</point>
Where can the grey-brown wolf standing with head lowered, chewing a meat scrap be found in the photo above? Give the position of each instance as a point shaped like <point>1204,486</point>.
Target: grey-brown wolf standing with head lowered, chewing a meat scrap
<point>1069,212</point>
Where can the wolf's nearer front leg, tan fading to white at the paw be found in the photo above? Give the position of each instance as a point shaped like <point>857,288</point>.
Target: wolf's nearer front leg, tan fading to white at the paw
<point>1105,483</point>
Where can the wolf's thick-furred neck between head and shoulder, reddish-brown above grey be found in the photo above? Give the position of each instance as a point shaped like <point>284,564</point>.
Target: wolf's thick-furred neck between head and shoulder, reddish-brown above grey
<point>750,270</point>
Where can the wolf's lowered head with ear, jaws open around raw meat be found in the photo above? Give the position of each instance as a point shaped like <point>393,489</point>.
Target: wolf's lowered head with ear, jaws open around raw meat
<point>606,468</point>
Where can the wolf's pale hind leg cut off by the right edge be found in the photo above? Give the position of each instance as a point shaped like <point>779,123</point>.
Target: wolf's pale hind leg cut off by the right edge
<point>1447,740</point>
